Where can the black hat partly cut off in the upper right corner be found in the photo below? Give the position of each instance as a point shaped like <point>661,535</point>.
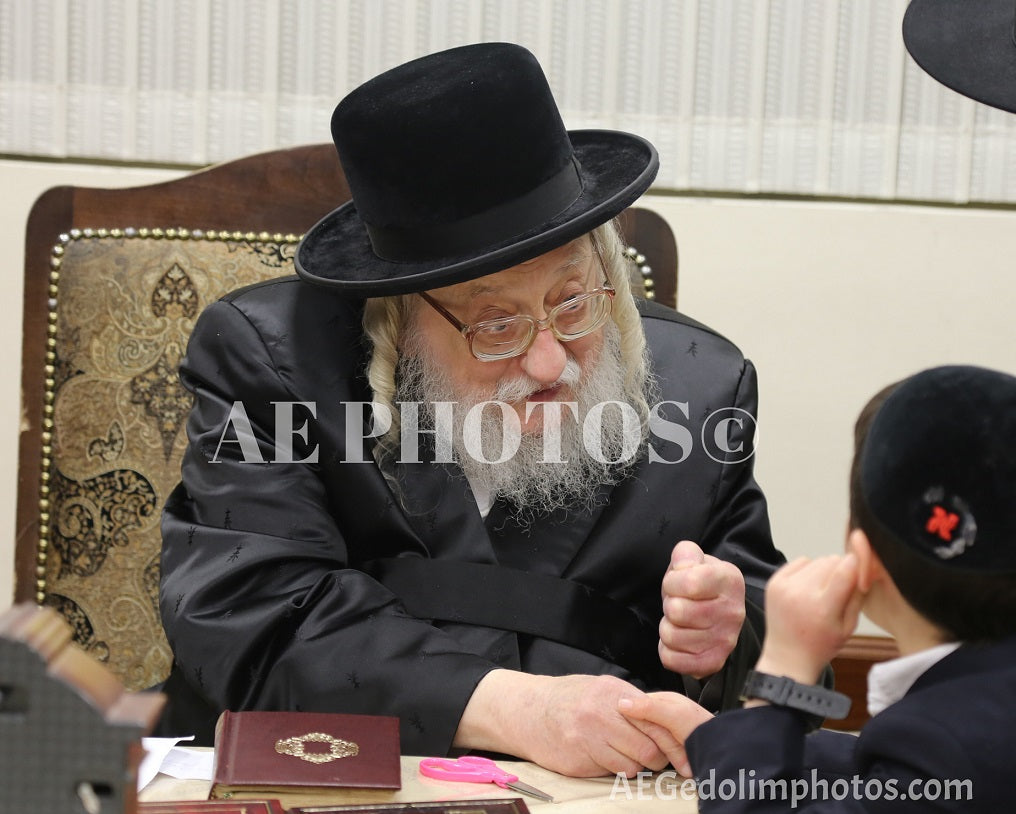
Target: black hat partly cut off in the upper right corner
<point>968,45</point>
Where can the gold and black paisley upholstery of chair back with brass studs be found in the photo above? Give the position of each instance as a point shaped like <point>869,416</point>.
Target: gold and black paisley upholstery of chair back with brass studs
<point>122,306</point>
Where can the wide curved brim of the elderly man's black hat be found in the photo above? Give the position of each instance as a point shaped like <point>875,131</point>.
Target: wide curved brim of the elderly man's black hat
<point>615,168</point>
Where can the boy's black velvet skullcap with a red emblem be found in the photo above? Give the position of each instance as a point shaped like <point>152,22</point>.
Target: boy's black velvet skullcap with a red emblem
<point>938,468</point>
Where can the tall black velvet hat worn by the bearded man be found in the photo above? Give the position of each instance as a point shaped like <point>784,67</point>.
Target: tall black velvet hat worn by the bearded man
<point>461,166</point>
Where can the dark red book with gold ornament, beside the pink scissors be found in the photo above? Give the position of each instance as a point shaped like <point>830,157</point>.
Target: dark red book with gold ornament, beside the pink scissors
<point>272,755</point>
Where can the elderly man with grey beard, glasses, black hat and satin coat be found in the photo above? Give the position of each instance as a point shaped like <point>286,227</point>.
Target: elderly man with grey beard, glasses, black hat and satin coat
<point>455,473</point>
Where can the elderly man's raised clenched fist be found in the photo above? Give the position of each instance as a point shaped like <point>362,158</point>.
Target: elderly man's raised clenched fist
<point>704,611</point>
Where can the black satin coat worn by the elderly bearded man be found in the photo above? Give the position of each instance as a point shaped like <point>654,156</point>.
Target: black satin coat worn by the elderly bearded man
<point>265,596</point>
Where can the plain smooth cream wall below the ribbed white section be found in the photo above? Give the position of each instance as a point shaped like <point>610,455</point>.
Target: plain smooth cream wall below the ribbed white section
<point>831,300</point>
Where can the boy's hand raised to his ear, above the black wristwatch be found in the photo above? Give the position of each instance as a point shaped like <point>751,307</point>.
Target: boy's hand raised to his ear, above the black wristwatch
<point>812,608</point>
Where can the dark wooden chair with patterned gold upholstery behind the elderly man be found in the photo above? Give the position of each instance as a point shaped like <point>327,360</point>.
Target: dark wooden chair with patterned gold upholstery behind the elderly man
<point>114,282</point>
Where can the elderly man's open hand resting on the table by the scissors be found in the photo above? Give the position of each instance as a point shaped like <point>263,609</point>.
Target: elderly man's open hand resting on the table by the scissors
<point>568,724</point>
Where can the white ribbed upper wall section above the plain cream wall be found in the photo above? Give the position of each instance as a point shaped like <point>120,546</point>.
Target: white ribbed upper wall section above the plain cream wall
<point>796,97</point>
